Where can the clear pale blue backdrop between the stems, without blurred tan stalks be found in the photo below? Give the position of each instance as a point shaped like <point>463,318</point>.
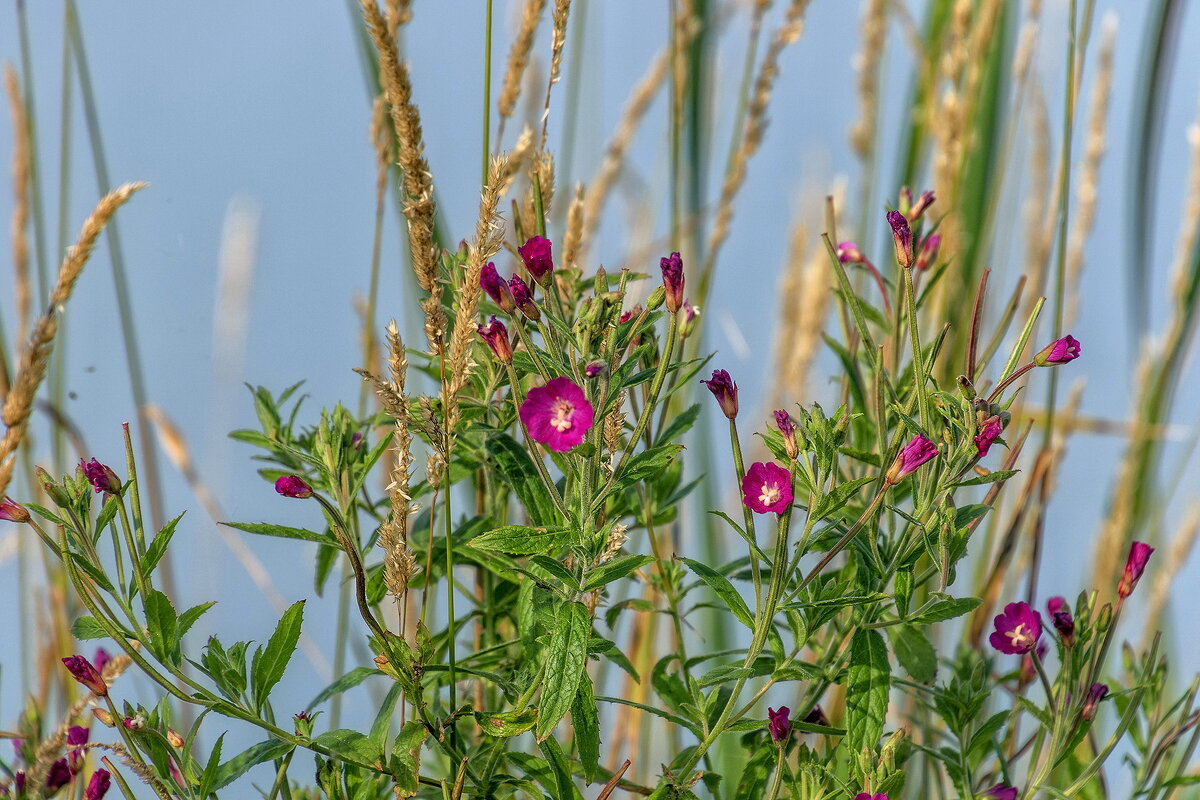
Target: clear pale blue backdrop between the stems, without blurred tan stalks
<point>236,105</point>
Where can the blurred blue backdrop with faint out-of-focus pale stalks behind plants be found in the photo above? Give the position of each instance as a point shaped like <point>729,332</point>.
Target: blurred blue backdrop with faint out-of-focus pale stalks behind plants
<point>249,256</point>
